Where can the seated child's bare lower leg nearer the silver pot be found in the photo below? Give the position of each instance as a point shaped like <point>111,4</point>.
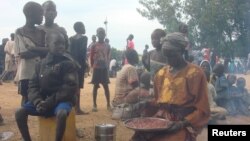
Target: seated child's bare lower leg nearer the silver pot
<point>61,117</point>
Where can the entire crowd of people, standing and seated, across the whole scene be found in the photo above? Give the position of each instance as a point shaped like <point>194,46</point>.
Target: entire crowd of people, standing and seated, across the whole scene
<point>49,68</point>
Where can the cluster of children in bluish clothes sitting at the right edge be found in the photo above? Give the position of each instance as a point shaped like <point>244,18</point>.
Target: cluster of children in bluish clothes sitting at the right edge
<point>231,92</point>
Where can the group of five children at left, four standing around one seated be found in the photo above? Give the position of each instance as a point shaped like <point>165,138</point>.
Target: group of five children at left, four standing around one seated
<point>51,67</point>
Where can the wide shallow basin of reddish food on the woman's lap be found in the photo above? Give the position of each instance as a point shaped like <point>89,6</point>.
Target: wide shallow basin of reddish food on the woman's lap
<point>147,124</point>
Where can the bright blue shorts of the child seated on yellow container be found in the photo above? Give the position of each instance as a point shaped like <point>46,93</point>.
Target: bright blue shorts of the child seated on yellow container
<point>31,109</point>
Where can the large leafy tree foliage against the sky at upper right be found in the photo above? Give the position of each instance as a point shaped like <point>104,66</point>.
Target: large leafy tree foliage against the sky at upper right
<point>221,24</point>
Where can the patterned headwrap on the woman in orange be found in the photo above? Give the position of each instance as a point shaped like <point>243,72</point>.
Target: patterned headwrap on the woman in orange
<point>175,39</point>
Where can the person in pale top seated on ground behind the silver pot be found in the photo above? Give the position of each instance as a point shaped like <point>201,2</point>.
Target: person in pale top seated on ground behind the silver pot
<point>128,90</point>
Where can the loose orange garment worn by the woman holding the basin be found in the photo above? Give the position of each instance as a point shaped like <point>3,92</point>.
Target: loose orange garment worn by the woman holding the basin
<point>182,96</point>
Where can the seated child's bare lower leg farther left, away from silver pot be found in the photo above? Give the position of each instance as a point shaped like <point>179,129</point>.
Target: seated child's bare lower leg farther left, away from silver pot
<point>22,119</point>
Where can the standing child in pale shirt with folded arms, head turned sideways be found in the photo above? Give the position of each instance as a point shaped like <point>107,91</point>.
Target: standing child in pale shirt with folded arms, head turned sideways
<point>29,41</point>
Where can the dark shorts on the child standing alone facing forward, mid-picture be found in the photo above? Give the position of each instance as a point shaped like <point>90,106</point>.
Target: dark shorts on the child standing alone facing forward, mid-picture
<point>100,75</point>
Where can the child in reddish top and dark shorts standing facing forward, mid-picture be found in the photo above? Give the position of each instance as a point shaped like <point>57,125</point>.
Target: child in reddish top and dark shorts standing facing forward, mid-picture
<point>99,58</point>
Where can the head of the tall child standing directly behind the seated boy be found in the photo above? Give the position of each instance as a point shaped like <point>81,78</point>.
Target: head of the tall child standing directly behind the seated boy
<point>50,12</point>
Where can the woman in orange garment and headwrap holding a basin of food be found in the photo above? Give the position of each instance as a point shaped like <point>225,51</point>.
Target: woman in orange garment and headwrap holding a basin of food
<point>180,90</point>
